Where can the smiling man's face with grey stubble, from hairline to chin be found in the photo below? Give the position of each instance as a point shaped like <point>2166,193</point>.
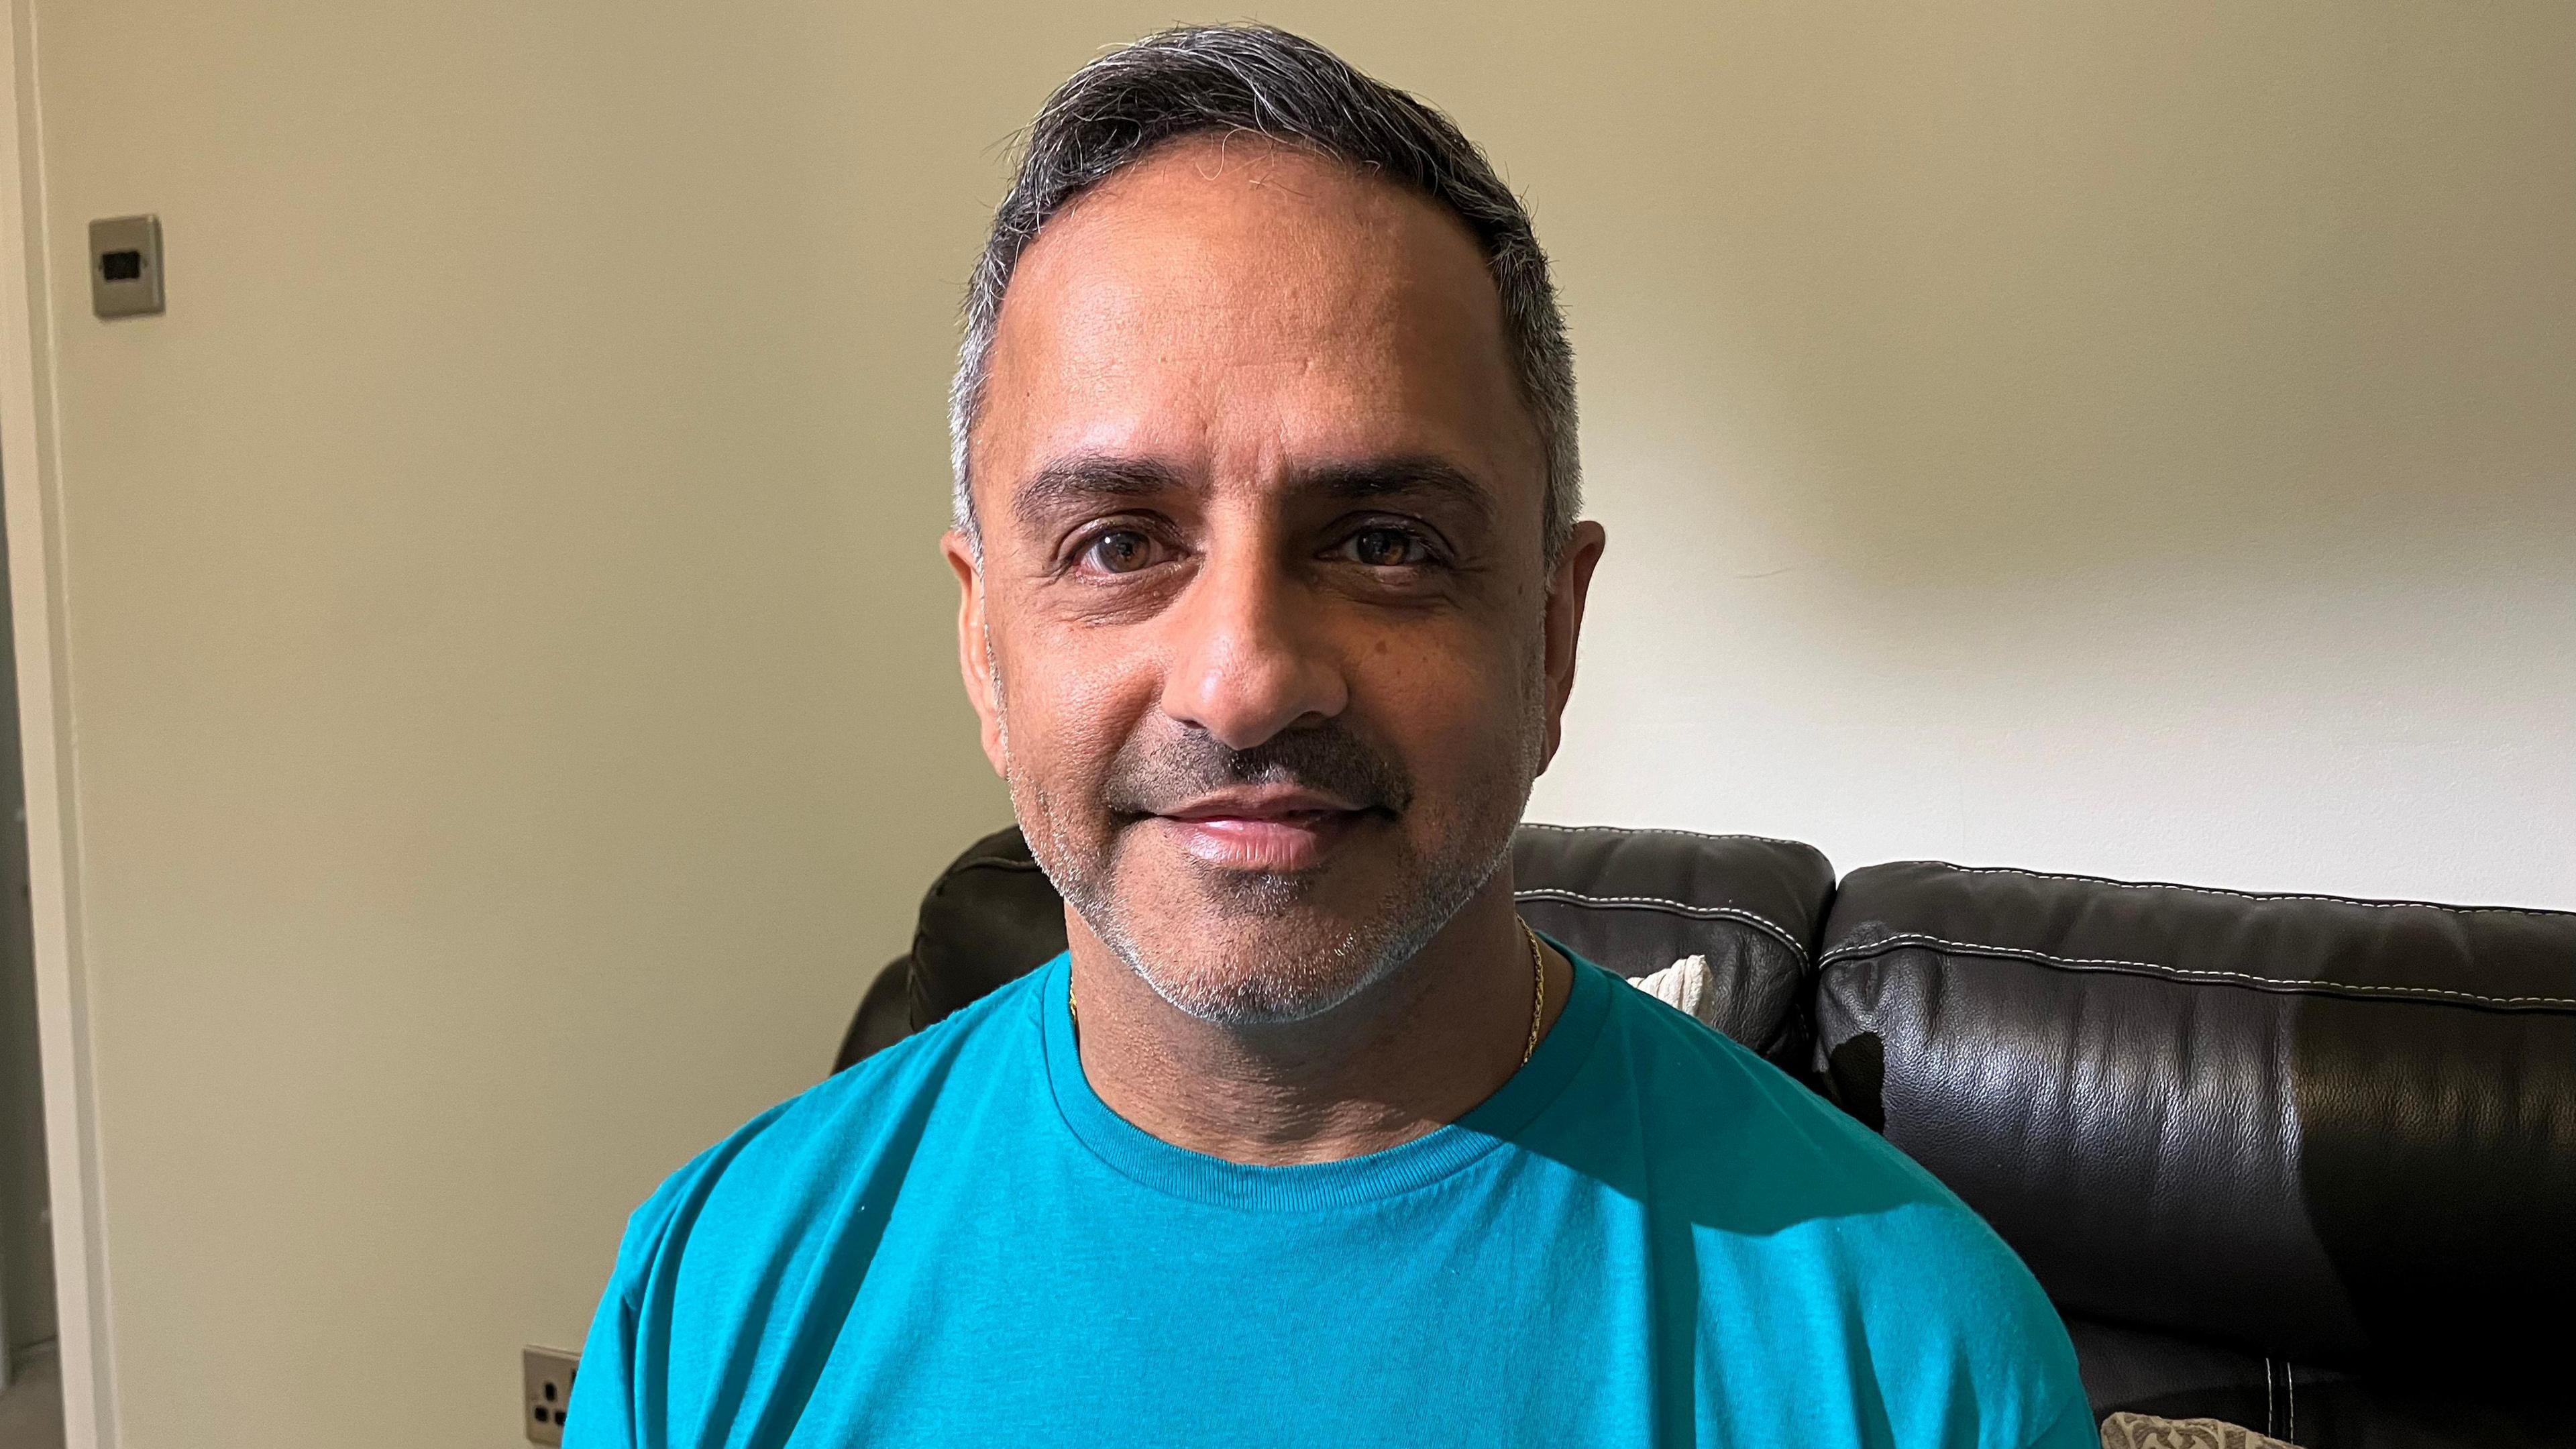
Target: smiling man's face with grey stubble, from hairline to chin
<point>1261,630</point>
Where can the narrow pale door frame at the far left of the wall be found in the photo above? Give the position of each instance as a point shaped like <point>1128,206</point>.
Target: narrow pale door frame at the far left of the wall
<point>32,494</point>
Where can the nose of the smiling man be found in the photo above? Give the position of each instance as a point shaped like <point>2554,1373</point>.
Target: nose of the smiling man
<point>1251,654</point>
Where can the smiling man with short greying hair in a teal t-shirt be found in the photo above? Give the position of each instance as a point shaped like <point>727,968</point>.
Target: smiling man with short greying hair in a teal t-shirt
<point>1271,574</point>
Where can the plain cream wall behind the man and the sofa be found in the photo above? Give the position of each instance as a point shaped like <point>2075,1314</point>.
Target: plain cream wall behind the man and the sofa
<point>509,669</point>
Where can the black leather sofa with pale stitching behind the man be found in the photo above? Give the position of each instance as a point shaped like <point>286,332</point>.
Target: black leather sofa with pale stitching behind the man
<point>2291,1162</point>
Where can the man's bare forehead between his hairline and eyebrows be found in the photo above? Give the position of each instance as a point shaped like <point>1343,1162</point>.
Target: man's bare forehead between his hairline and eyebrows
<point>1238,311</point>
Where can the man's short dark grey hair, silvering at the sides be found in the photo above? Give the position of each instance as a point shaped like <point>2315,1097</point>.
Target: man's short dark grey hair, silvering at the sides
<point>1271,84</point>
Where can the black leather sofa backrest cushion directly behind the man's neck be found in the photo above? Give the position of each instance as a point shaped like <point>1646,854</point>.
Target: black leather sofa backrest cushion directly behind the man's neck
<point>1632,901</point>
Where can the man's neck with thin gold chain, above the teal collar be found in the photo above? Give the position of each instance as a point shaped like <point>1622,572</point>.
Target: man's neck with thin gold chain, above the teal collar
<point>1397,1061</point>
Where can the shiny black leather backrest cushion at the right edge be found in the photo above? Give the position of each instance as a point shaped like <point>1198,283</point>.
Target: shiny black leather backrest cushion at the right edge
<point>2327,1131</point>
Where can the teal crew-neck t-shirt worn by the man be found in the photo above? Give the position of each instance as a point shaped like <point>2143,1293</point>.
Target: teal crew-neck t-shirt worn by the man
<point>1647,1236</point>
